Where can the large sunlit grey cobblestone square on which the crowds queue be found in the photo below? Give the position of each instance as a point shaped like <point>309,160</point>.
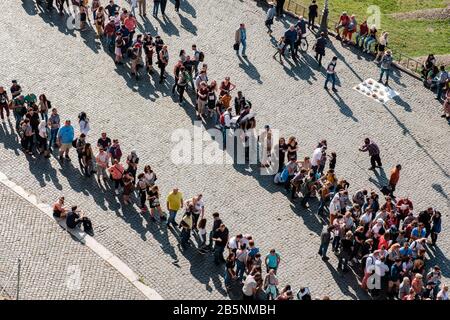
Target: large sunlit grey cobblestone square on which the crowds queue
<point>77,74</point>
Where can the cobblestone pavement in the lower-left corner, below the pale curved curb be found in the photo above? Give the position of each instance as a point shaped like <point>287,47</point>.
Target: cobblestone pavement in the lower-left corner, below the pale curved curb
<point>53,266</point>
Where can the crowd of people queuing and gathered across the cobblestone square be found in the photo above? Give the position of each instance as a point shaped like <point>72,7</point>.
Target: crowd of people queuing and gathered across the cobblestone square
<point>387,237</point>
